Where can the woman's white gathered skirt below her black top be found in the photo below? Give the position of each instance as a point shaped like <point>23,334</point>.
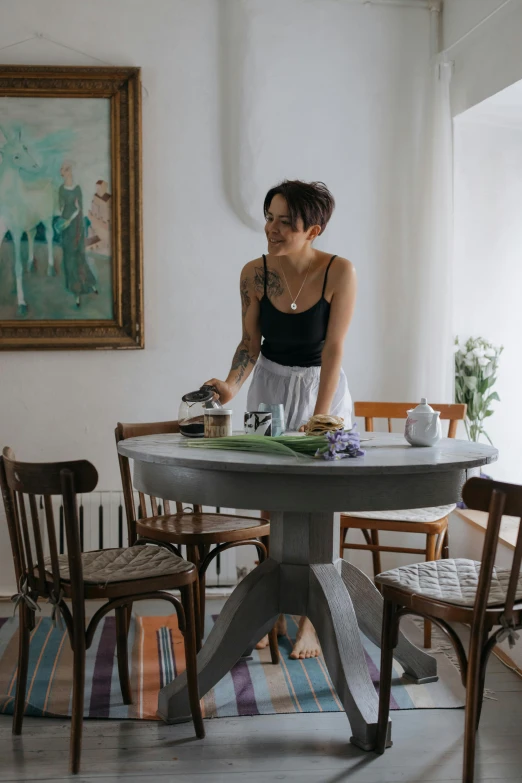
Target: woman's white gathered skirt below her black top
<point>296,388</point>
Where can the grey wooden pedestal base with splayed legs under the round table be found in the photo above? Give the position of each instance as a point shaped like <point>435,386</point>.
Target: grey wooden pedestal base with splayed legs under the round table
<point>337,597</point>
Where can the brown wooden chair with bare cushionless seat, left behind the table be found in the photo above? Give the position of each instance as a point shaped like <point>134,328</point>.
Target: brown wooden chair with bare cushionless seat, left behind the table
<point>192,528</point>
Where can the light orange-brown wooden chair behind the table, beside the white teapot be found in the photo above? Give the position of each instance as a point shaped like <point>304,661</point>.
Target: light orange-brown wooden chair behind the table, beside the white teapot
<point>431,522</point>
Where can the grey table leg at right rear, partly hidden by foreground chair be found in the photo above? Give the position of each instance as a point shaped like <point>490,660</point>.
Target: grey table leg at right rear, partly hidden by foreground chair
<point>367,602</point>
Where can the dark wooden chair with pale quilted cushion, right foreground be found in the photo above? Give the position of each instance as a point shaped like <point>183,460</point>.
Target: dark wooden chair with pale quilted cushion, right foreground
<point>459,591</point>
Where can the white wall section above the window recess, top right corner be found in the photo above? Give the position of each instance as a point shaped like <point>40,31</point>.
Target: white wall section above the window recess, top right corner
<point>490,58</point>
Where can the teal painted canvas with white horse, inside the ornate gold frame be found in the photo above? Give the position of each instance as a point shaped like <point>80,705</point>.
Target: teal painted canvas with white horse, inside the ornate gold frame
<point>55,209</point>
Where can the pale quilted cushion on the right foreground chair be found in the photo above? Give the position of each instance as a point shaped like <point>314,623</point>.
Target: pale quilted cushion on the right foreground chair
<point>451,581</point>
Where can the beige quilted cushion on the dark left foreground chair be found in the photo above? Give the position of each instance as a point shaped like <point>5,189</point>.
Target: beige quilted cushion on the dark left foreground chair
<point>122,565</point>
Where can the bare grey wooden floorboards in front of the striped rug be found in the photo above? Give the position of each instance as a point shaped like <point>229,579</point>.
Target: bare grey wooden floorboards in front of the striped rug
<point>295,748</point>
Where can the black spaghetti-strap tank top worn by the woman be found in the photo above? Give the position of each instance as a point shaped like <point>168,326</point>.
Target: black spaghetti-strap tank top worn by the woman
<point>294,340</point>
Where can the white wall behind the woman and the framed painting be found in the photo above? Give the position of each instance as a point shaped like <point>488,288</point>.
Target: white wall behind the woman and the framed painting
<point>241,93</point>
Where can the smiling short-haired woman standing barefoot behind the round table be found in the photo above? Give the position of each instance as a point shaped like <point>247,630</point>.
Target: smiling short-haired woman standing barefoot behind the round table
<point>300,302</point>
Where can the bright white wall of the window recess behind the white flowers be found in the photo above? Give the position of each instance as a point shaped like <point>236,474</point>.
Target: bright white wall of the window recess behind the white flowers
<point>487,269</point>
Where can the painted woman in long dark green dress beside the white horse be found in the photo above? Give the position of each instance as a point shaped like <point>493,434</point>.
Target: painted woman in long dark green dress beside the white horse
<point>79,278</point>
